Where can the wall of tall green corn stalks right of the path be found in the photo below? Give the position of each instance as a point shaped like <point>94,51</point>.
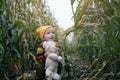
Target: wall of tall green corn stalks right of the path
<point>97,35</point>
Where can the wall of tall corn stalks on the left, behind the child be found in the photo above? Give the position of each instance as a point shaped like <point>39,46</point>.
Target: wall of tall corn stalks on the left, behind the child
<point>18,42</point>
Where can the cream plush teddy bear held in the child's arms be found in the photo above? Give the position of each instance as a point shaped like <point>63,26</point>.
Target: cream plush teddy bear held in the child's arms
<point>52,60</point>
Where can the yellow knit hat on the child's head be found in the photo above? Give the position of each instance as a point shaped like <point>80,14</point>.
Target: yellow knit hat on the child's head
<point>41,31</point>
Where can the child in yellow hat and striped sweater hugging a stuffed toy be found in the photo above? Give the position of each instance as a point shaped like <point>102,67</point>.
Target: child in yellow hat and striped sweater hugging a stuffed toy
<point>46,33</point>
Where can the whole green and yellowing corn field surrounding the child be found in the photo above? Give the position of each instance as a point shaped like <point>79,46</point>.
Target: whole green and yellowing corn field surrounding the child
<point>93,53</point>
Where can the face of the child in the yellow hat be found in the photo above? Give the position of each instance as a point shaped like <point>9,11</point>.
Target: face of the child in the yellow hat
<point>49,35</point>
